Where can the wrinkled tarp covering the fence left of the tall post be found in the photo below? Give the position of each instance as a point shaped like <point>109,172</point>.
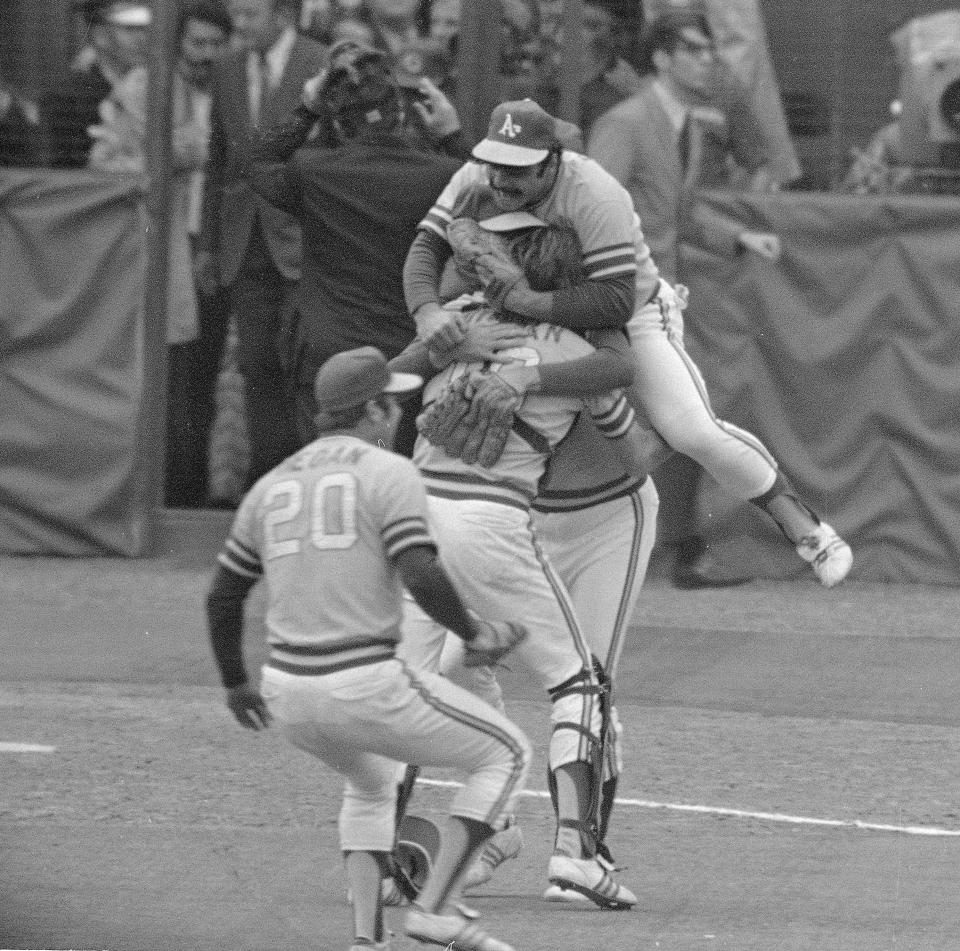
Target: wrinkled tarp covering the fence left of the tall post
<point>71,363</point>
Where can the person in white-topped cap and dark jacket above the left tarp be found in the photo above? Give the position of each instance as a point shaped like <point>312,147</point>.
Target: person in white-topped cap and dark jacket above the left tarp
<point>116,42</point>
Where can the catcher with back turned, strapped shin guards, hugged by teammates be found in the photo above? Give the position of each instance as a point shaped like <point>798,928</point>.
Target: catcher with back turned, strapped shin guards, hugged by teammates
<point>461,490</point>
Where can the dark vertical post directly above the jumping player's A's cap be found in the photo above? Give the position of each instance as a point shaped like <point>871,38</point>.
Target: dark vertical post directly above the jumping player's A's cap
<point>478,65</point>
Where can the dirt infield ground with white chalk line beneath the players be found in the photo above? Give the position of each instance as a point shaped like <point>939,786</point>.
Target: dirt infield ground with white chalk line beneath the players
<point>791,780</point>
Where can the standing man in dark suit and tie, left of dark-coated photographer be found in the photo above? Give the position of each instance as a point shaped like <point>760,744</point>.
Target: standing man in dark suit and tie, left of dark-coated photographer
<point>248,246</point>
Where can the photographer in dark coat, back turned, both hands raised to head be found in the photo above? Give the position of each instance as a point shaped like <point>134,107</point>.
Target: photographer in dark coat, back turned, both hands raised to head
<point>343,164</point>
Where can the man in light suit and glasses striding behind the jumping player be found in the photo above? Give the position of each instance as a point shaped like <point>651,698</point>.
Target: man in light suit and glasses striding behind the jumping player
<point>674,136</point>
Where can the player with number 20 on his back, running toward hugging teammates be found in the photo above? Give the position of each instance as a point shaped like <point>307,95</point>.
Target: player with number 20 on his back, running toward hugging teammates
<point>335,531</point>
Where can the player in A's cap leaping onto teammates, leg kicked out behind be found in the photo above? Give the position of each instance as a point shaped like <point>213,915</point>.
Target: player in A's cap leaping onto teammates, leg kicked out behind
<point>523,165</point>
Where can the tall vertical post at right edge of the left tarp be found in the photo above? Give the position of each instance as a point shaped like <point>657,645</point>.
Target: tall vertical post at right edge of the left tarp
<point>153,411</point>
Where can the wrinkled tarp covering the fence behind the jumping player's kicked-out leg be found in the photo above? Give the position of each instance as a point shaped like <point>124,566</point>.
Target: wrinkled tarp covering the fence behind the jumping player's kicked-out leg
<point>845,359</point>
